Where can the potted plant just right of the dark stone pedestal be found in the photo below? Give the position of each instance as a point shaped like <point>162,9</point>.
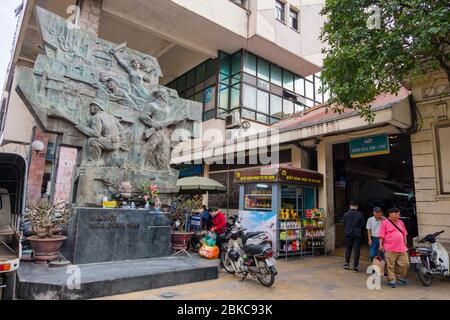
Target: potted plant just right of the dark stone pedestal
<point>179,216</point>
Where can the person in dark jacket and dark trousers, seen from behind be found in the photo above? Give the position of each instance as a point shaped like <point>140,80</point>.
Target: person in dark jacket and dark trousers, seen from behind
<point>353,226</point>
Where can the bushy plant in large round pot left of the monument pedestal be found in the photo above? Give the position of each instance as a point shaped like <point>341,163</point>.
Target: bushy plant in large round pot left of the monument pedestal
<point>47,221</point>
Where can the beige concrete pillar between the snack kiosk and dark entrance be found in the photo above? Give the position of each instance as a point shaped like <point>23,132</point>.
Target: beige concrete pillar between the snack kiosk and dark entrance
<point>326,193</point>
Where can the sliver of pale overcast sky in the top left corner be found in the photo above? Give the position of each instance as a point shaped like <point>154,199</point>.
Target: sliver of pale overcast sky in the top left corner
<point>8,23</point>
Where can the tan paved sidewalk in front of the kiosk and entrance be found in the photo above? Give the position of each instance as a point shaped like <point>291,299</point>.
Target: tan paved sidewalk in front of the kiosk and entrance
<point>301,278</point>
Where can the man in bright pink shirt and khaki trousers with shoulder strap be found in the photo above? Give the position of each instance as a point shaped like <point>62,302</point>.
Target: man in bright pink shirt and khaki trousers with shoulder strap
<point>393,243</point>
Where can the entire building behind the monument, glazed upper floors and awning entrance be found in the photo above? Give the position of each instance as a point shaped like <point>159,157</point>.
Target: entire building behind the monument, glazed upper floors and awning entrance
<point>255,68</point>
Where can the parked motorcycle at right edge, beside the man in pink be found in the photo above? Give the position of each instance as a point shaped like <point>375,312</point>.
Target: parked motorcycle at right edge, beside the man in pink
<point>430,259</point>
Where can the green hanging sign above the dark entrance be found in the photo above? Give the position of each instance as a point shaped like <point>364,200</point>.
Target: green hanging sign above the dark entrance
<point>369,146</point>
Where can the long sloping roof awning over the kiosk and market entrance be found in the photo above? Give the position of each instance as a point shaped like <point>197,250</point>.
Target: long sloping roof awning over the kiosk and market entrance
<point>390,110</point>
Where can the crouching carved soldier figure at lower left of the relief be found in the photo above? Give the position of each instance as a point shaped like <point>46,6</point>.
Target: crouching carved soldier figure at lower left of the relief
<point>105,133</point>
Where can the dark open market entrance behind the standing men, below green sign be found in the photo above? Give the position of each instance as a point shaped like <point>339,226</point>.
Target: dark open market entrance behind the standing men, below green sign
<point>385,181</point>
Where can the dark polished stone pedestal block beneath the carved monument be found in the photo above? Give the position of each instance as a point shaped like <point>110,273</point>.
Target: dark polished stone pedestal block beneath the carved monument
<point>103,235</point>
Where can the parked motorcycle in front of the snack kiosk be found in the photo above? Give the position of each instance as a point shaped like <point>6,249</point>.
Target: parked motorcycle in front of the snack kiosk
<point>241,256</point>
